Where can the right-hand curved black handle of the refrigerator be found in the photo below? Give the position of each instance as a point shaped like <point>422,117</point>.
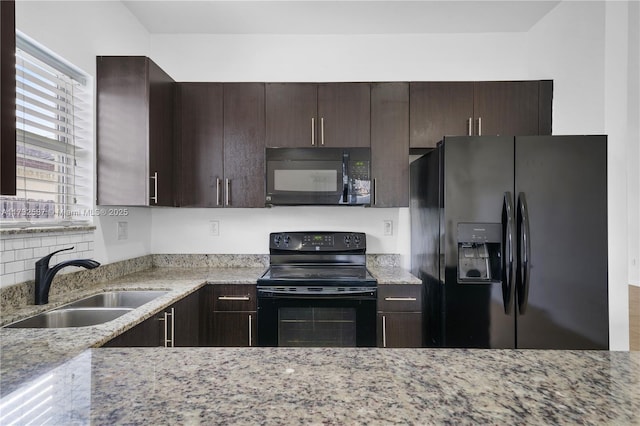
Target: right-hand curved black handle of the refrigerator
<point>524,252</point>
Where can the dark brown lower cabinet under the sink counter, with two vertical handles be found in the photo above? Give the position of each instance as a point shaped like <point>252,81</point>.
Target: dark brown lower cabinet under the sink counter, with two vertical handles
<point>177,325</point>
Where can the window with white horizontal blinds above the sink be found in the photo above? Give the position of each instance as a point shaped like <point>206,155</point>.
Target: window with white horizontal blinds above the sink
<point>53,141</point>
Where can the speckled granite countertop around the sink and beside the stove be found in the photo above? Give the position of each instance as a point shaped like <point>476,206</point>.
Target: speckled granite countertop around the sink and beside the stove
<point>27,353</point>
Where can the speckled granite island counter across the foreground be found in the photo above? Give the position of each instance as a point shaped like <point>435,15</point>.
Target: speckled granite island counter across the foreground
<point>341,386</point>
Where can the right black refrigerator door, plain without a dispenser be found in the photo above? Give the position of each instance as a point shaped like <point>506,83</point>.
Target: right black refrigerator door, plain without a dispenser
<point>561,192</point>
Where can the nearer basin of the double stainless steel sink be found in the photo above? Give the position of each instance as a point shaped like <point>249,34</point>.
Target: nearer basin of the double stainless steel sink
<point>76,317</point>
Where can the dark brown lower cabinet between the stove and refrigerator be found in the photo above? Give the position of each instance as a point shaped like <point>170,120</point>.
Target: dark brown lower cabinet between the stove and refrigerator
<point>400,316</point>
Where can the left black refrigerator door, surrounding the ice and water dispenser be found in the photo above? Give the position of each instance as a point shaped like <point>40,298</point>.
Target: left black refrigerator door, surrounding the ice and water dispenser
<point>478,172</point>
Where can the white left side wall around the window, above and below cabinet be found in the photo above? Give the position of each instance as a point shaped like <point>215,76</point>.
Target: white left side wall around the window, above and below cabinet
<point>78,31</point>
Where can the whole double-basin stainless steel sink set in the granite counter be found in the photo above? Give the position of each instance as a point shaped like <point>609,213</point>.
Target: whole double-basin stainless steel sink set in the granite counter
<point>92,310</point>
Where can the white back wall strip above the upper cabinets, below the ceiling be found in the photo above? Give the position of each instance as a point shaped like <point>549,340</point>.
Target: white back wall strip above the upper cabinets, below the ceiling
<point>341,57</point>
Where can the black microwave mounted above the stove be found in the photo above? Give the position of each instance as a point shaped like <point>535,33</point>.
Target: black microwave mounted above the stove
<point>318,176</point>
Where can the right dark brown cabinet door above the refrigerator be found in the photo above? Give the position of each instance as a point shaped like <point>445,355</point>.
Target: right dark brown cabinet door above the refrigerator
<point>508,108</point>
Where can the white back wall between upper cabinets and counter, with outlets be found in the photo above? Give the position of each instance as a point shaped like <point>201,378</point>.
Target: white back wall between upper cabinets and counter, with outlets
<point>247,230</point>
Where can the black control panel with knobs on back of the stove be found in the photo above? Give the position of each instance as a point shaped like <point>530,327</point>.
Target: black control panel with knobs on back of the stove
<point>317,241</point>
